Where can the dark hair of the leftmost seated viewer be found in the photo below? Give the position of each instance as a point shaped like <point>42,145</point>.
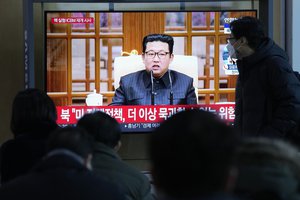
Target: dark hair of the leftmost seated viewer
<point>32,108</point>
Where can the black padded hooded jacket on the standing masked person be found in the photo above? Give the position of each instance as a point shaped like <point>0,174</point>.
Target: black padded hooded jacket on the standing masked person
<point>267,93</point>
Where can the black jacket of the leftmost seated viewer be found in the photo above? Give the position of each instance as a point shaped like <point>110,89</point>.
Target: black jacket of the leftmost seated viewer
<point>20,154</point>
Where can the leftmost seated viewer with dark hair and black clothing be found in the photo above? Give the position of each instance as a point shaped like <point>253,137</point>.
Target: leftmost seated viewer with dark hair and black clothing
<point>33,118</point>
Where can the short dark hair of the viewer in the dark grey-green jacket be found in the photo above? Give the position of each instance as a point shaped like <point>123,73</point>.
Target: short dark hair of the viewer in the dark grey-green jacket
<point>102,127</point>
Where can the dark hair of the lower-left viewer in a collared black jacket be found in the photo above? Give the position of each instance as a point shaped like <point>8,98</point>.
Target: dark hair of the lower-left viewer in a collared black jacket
<point>71,138</point>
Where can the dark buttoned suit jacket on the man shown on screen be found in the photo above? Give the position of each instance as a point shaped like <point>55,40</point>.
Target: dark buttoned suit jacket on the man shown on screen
<point>135,89</point>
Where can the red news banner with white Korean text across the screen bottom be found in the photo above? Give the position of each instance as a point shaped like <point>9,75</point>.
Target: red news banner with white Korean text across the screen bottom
<point>140,118</point>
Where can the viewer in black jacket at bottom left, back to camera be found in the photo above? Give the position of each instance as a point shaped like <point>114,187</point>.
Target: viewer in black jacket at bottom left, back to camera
<point>64,173</point>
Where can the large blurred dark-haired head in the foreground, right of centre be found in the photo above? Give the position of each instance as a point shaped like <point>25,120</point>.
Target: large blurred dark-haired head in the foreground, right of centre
<point>192,153</point>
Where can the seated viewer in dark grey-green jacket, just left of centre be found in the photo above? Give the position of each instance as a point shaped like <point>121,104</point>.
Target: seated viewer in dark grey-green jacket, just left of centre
<point>106,162</point>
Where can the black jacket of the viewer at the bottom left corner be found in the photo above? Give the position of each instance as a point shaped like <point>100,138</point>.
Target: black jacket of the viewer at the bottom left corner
<point>60,177</point>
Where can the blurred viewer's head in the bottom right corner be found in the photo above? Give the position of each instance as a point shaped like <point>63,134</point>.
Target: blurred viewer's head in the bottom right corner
<point>268,169</point>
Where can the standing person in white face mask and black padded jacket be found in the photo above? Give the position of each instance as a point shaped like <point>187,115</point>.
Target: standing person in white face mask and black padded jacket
<point>267,90</point>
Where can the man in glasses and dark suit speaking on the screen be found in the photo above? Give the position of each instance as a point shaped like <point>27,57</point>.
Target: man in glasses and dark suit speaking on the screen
<point>156,85</point>
